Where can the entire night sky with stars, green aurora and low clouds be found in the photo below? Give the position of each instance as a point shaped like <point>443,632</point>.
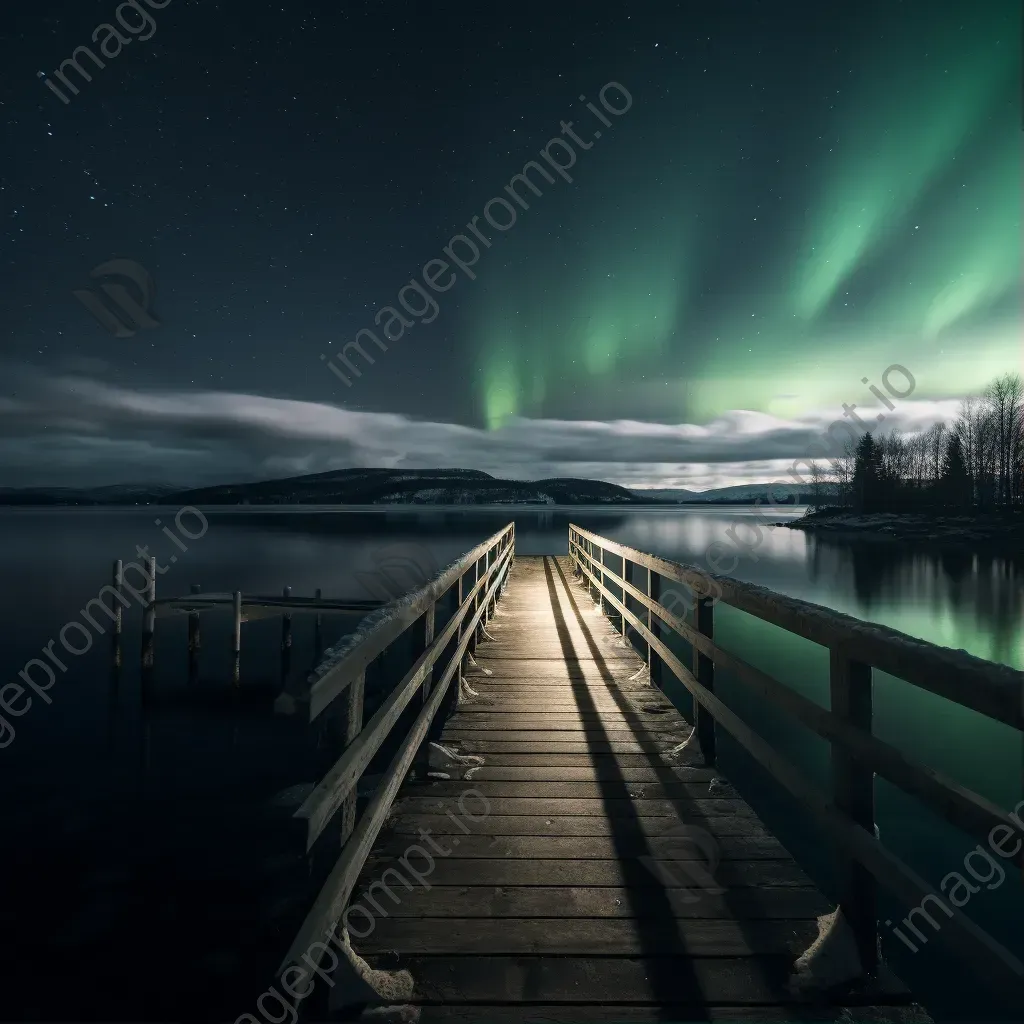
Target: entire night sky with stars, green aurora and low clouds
<point>799,196</point>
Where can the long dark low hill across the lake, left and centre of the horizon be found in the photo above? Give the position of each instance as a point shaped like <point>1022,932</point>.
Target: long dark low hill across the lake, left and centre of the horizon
<point>350,487</point>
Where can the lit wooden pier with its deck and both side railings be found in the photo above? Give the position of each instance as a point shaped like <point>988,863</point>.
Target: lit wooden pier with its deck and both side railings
<point>568,850</point>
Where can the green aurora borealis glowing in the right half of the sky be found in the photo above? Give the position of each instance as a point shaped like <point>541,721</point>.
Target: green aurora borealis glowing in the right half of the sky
<point>724,252</point>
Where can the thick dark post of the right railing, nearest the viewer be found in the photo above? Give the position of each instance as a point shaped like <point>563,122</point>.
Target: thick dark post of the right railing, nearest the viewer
<point>854,791</point>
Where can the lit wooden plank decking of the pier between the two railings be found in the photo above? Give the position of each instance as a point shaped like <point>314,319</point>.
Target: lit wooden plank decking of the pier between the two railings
<point>591,871</point>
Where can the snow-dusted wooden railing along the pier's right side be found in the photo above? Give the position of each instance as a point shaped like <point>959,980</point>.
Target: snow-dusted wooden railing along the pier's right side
<point>847,815</point>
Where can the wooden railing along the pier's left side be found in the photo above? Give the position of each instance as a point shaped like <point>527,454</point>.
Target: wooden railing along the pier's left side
<point>479,578</point>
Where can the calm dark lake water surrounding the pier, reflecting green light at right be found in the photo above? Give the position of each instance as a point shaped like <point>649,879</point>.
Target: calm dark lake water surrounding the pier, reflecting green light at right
<point>146,873</point>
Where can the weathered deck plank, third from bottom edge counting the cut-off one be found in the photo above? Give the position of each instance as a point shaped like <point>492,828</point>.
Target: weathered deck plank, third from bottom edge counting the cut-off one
<point>590,936</point>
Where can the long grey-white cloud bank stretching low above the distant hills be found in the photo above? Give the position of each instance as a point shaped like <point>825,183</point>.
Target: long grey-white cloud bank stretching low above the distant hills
<point>79,432</point>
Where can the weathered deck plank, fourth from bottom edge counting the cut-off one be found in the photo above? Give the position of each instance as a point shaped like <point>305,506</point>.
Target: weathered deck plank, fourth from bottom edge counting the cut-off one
<point>505,903</point>
